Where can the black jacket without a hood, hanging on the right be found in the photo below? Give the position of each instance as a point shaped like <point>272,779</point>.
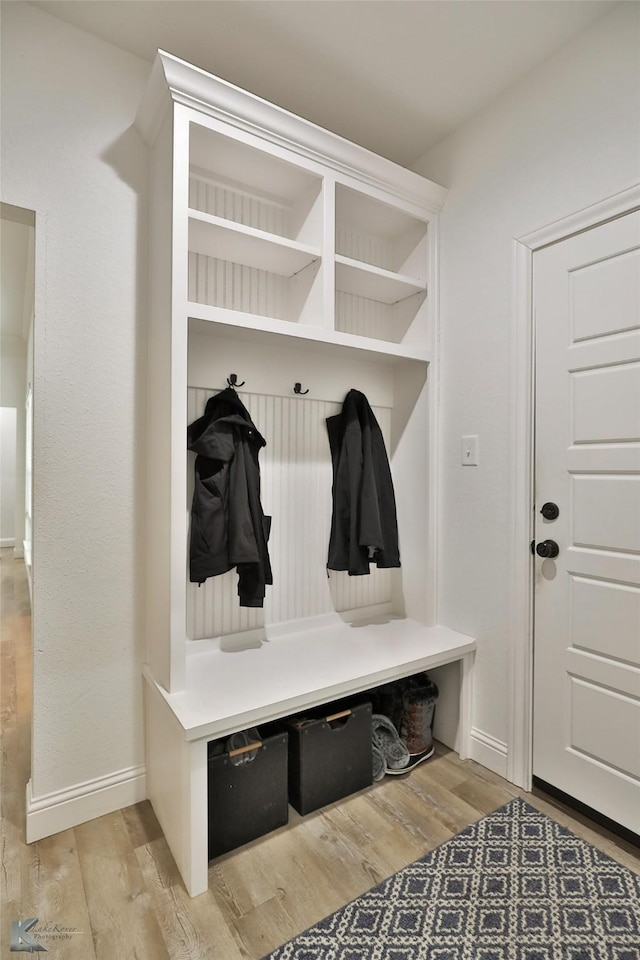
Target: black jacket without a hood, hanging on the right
<point>364,526</point>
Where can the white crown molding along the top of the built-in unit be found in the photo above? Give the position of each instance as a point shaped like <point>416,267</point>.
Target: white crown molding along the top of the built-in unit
<point>174,80</point>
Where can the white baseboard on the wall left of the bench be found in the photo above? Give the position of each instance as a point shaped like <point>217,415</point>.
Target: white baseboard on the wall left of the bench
<point>64,809</point>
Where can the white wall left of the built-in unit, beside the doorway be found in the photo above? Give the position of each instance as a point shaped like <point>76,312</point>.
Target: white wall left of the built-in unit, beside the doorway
<point>69,152</point>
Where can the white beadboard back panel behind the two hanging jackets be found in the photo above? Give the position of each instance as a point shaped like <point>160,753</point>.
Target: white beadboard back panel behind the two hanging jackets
<point>296,480</point>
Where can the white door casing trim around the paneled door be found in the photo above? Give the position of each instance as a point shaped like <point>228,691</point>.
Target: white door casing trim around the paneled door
<point>520,668</point>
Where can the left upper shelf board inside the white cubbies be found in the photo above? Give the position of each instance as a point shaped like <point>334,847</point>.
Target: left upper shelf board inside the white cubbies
<point>228,240</point>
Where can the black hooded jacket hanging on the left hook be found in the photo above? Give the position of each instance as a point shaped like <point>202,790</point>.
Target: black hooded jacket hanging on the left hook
<point>228,526</point>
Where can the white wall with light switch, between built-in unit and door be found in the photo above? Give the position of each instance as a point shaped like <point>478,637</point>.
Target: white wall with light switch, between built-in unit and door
<point>565,137</point>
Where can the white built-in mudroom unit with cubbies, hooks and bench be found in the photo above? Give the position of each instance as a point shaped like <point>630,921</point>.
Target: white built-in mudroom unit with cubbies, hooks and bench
<point>290,266</point>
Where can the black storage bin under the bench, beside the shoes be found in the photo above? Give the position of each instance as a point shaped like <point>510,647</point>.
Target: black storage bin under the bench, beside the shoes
<point>329,756</point>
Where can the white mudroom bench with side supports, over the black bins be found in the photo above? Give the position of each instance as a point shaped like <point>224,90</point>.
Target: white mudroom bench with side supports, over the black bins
<point>243,682</point>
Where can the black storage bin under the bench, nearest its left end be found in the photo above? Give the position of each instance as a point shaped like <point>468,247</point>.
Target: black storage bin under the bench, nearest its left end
<point>246,799</point>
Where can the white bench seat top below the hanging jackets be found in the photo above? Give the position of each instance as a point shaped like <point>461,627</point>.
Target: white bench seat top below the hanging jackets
<point>230,689</point>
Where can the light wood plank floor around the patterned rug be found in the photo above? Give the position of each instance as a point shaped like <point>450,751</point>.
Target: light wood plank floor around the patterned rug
<point>114,882</point>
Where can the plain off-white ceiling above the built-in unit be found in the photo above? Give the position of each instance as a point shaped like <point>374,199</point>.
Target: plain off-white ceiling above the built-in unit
<point>396,76</point>
